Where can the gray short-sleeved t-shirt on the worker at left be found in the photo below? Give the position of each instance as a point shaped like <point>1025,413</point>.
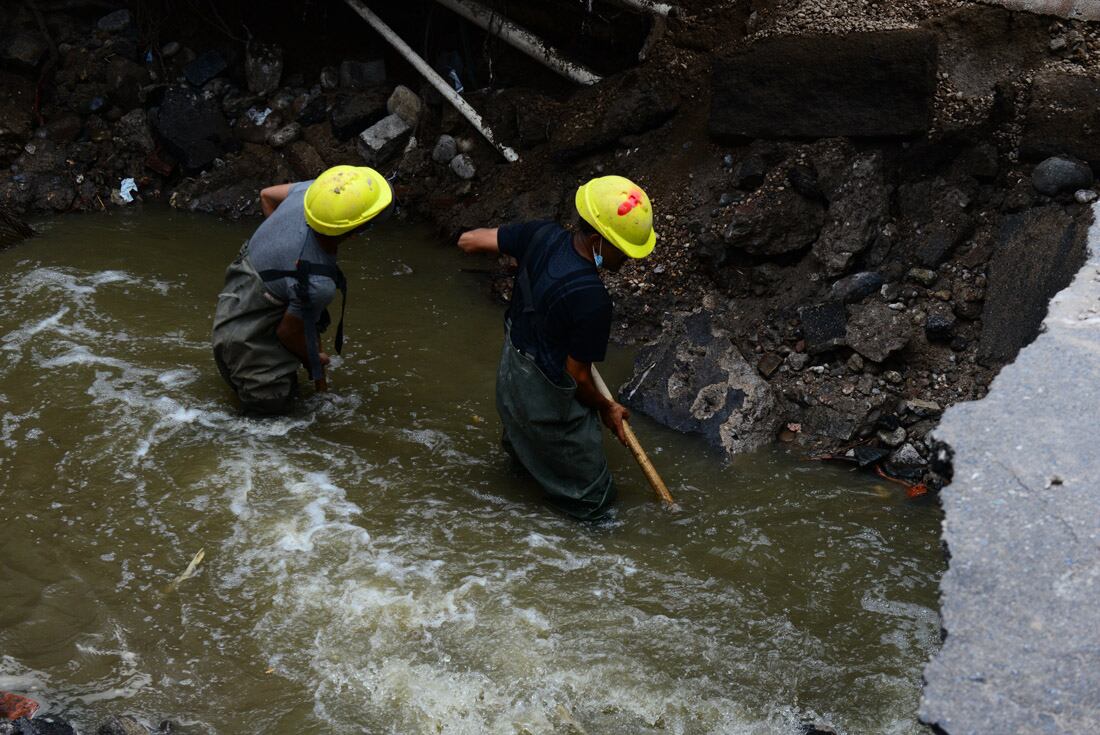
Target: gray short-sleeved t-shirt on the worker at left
<point>281,242</point>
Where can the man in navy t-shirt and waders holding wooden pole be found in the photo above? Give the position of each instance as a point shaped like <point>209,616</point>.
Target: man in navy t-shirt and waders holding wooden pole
<point>557,326</point>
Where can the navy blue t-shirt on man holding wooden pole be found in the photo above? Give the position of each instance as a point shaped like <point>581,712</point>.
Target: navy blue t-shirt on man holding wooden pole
<point>573,310</point>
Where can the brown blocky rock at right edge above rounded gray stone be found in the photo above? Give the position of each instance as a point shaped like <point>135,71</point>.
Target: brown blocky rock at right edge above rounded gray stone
<point>1063,117</point>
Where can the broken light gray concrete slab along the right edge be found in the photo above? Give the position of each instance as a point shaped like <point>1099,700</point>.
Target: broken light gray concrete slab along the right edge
<point>1022,650</point>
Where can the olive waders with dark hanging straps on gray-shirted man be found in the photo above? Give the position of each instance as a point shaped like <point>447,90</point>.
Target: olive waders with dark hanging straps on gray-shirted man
<point>250,357</point>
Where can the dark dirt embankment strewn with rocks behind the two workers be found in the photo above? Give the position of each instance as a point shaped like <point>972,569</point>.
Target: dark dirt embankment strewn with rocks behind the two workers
<point>854,229</point>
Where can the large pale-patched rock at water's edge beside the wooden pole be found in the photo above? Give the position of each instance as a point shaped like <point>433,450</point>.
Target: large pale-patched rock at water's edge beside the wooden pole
<point>695,380</point>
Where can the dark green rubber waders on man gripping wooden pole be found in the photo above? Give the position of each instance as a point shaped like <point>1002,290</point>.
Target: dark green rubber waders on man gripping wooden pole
<point>554,436</point>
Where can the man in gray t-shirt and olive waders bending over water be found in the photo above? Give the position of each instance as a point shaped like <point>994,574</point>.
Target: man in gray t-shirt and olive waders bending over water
<point>274,305</point>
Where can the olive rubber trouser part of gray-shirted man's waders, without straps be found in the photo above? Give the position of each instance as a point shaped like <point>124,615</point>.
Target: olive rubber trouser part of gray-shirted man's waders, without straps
<point>262,372</point>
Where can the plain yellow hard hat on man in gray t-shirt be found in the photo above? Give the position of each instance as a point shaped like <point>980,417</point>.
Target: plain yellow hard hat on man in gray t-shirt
<point>345,198</point>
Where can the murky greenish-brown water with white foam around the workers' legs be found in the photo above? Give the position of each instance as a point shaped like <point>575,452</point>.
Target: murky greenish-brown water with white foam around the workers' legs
<point>373,564</point>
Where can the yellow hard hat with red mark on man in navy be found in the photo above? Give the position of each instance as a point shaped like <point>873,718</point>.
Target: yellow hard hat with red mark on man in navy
<point>621,212</point>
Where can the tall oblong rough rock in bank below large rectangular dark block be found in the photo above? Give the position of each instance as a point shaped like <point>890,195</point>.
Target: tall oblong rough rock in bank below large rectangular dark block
<point>856,212</point>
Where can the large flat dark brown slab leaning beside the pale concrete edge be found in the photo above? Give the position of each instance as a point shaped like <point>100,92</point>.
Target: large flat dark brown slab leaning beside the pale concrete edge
<point>1039,251</point>
